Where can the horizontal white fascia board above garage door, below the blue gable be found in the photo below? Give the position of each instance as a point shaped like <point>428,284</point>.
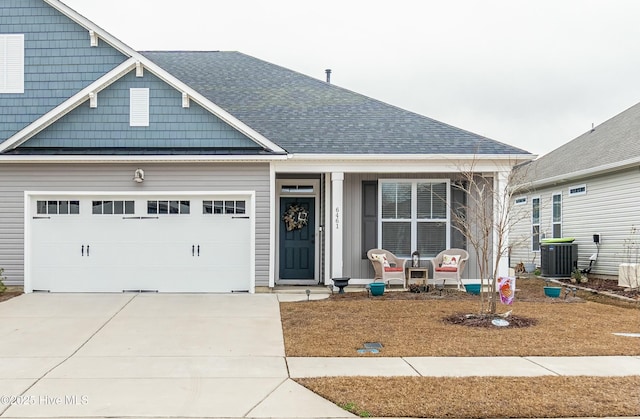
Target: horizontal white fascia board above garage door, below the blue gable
<point>12,158</point>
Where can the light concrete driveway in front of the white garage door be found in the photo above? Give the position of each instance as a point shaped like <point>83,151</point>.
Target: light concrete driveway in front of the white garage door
<point>148,355</point>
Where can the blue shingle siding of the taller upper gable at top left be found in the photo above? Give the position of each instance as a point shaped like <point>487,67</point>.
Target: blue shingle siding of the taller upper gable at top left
<point>58,62</point>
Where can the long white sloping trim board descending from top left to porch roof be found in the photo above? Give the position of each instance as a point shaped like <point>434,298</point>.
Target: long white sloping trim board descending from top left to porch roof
<point>164,75</point>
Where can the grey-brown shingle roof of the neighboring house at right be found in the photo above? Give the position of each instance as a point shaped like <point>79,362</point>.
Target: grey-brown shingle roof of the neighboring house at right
<point>611,142</point>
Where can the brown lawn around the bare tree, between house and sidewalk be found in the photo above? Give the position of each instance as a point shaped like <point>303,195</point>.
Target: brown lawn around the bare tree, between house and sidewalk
<point>340,325</point>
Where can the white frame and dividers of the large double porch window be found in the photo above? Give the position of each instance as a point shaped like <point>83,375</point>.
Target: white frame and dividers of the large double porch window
<point>414,210</point>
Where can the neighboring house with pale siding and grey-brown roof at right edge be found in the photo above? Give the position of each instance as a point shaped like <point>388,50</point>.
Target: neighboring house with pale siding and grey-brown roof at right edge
<point>589,186</point>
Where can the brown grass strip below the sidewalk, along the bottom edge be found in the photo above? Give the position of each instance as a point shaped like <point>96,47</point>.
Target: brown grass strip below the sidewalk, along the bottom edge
<point>482,397</point>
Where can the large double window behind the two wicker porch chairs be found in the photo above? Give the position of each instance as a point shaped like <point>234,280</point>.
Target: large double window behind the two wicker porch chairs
<point>414,216</point>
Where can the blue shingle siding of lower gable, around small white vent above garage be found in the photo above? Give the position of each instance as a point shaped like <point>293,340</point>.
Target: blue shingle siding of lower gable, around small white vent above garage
<point>171,127</point>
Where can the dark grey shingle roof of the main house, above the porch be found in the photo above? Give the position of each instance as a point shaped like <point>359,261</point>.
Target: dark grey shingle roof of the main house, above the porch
<point>306,115</point>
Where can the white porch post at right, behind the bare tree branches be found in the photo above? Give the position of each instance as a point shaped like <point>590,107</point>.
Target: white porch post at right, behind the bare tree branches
<point>501,218</point>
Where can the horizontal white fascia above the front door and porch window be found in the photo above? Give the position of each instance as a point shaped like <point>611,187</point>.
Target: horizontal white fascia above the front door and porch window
<point>397,163</point>
